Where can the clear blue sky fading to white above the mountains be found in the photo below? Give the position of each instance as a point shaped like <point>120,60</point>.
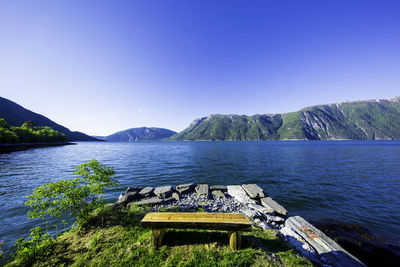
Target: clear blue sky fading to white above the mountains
<point>105,66</point>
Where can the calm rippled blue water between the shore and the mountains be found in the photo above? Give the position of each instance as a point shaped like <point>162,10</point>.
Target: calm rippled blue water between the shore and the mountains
<point>347,181</point>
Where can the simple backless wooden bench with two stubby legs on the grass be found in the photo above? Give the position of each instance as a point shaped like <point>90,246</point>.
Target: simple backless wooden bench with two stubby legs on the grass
<point>234,223</point>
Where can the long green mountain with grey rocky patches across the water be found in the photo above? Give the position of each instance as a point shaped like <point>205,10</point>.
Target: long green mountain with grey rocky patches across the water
<point>369,120</point>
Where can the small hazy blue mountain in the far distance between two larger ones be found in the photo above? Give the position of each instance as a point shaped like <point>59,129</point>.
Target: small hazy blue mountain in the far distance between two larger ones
<point>140,134</point>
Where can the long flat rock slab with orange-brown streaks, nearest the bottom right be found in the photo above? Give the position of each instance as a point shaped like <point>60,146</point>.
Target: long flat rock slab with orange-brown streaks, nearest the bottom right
<point>328,250</point>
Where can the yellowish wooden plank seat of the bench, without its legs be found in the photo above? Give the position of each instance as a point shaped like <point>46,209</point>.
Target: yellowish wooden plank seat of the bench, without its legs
<point>214,221</point>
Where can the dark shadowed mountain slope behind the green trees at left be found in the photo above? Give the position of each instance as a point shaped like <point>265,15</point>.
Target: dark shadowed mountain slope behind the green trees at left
<point>16,115</point>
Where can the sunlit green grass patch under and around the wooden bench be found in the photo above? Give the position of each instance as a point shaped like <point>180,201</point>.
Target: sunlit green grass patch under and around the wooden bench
<point>115,238</point>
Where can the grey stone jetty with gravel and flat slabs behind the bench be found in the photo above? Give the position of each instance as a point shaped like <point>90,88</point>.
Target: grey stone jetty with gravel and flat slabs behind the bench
<point>251,200</point>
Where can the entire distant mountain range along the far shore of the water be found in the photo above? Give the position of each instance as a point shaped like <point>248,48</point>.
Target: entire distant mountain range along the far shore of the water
<point>363,120</point>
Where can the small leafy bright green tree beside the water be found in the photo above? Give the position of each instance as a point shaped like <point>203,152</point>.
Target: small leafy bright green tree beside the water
<point>72,197</point>
